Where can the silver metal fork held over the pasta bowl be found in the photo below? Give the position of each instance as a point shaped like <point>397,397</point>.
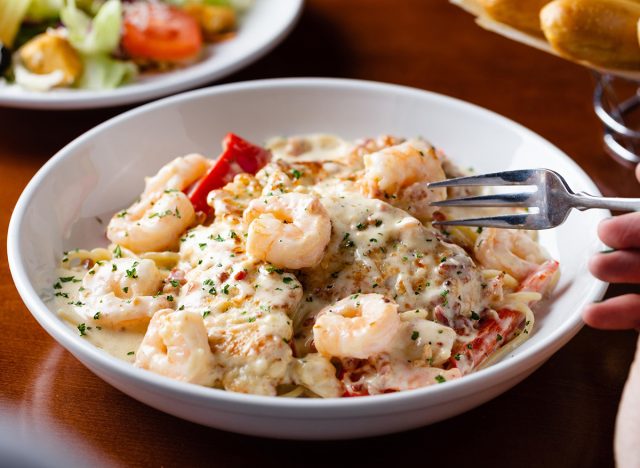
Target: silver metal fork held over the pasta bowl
<point>553,198</point>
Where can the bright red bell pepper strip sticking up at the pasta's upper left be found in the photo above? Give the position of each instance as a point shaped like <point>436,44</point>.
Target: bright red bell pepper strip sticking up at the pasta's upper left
<point>238,156</point>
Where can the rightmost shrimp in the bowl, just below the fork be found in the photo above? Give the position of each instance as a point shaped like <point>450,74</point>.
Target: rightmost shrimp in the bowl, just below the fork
<point>514,252</point>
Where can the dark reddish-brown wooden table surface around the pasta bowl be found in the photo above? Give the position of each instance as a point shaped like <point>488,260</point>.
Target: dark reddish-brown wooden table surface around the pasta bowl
<point>563,415</point>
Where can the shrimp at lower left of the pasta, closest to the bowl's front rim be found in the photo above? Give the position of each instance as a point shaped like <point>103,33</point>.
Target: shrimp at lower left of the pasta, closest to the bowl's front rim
<point>176,346</point>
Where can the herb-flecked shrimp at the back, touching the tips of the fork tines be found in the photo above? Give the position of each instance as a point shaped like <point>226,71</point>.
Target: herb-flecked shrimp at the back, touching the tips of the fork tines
<point>400,174</point>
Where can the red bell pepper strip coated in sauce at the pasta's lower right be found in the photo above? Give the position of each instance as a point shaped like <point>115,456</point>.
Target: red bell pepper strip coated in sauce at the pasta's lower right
<point>492,334</point>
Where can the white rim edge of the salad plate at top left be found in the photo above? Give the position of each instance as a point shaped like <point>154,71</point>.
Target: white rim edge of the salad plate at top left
<point>157,88</point>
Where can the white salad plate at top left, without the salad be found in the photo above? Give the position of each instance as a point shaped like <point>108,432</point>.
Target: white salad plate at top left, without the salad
<point>261,28</point>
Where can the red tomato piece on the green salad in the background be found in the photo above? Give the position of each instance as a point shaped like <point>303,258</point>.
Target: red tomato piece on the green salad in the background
<point>160,32</point>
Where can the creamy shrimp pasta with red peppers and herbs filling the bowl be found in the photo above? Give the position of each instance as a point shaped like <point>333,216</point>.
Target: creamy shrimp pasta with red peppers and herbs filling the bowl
<point>307,268</point>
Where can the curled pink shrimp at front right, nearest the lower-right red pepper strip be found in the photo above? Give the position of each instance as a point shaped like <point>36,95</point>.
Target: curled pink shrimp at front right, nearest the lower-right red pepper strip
<point>359,326</point>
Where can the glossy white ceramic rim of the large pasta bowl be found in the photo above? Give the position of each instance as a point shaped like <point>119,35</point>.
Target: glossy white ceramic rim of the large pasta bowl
<point>530,358</point>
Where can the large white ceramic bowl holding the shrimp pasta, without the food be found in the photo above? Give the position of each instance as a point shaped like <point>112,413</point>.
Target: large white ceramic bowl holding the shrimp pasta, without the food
<point>102,171</point>
